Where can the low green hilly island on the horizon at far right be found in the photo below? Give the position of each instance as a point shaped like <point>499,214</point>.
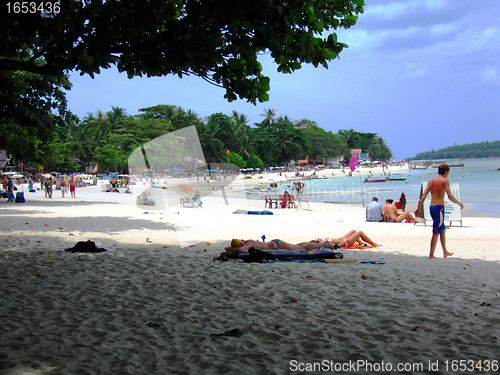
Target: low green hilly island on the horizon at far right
<point>470,150</point>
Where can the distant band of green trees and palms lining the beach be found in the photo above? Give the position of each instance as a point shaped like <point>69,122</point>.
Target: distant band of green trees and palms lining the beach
<point>108,138</point>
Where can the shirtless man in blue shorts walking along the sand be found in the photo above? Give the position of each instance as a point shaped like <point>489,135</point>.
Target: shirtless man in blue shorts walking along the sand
<point>437,187</point>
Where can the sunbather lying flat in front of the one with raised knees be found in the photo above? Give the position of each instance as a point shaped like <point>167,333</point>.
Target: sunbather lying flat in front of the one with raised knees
<point>240,246</point>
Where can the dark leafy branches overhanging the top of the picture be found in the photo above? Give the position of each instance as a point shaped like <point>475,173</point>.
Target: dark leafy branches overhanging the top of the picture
<point>217,40</point>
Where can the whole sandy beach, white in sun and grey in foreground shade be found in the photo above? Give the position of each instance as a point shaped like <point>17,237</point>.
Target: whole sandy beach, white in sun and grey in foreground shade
<point>157,303</point>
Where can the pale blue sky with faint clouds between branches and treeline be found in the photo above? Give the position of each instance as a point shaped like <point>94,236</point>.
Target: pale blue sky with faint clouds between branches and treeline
<point>422,74</point>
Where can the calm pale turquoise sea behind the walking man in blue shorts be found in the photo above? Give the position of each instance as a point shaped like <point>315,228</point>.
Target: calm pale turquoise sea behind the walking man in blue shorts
<point>478,179</point>
